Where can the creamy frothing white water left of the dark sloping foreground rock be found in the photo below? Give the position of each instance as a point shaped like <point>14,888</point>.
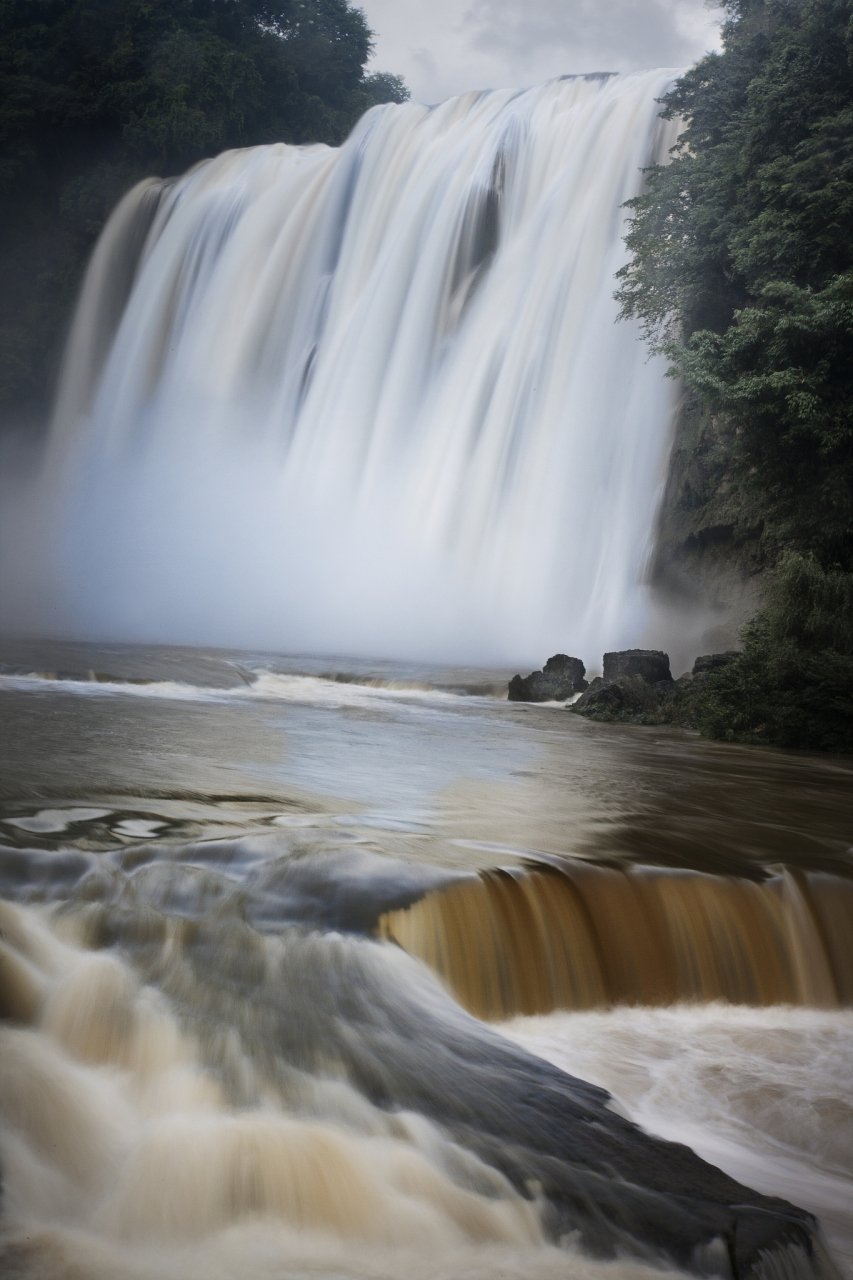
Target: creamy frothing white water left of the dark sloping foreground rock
<point>116,1135</point>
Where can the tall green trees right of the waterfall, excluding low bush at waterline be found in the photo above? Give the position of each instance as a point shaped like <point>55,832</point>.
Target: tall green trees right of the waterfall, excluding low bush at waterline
<point>742,266</point>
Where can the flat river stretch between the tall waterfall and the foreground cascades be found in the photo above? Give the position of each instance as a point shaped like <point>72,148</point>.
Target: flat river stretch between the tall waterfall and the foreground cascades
<point>450,778</point>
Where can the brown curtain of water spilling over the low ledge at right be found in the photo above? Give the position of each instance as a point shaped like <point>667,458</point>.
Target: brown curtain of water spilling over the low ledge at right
<point>582,936</point>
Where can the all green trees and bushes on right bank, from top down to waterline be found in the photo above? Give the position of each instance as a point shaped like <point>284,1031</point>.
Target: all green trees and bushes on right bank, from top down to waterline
<point>742,273</point>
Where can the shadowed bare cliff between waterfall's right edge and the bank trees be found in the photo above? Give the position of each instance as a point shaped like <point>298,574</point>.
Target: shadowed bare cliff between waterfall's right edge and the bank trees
<point>713,547</point>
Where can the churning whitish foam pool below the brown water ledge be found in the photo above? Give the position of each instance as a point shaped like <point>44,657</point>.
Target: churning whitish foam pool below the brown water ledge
<point>764,1094</point>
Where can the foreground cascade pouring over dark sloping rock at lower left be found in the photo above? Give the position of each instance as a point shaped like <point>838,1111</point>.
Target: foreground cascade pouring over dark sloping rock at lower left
<point>318,1092</point>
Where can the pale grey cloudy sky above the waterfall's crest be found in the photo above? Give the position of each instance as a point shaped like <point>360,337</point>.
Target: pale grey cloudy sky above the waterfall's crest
<point>446,47</point>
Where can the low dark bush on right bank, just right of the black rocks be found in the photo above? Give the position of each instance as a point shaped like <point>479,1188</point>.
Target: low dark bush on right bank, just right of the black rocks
<point>793,683</point>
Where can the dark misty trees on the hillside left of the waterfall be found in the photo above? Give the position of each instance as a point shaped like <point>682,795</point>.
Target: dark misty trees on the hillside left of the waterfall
<point>97,94</point>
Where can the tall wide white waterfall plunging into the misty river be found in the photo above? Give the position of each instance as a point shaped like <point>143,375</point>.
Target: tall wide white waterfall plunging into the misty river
<point>366,400</point>
